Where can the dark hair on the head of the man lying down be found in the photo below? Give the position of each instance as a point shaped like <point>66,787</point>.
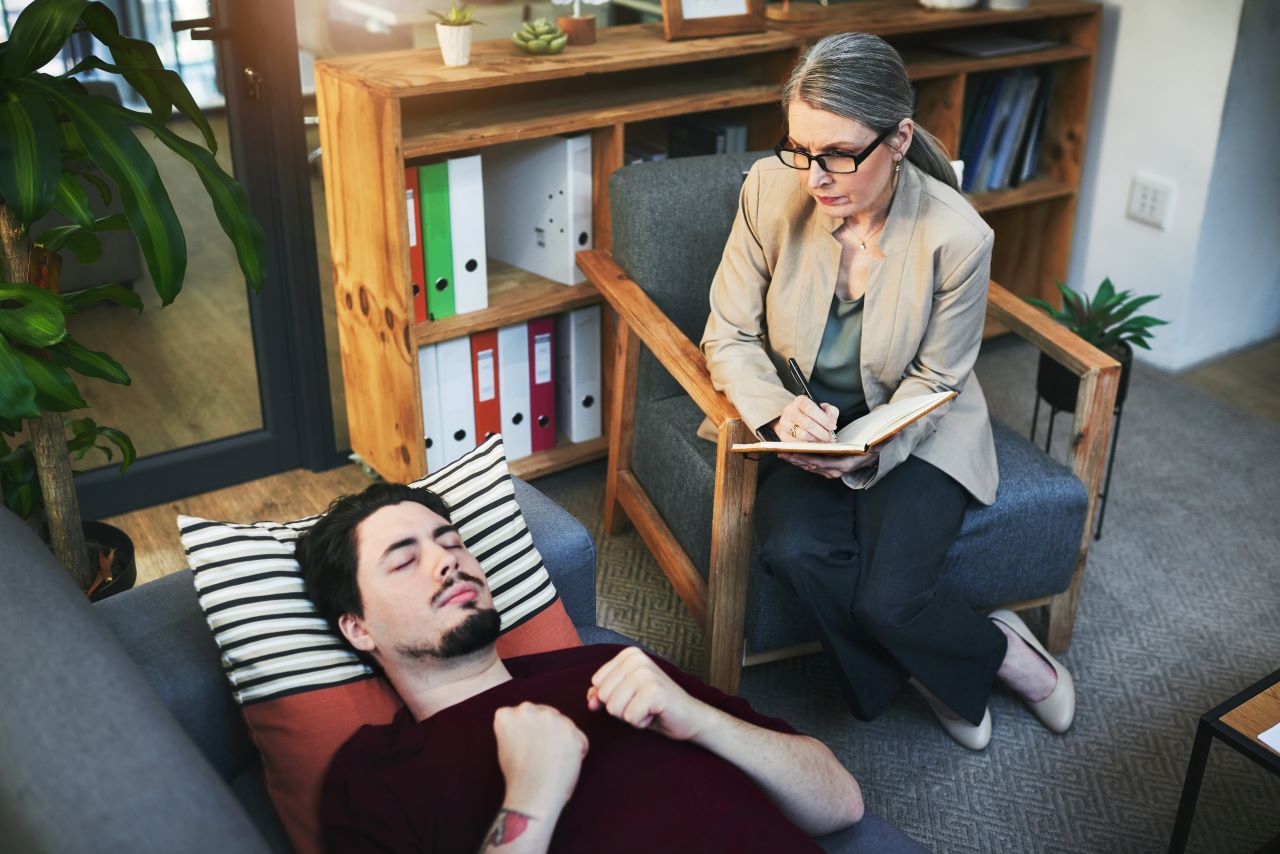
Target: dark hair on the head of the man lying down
<point>327,554</point>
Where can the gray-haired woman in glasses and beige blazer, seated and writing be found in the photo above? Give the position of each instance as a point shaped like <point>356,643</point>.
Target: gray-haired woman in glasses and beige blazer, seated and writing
<point>856,254</point>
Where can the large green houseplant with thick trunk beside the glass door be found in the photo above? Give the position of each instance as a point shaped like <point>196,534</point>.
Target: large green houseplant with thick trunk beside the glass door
<point>57,144</point>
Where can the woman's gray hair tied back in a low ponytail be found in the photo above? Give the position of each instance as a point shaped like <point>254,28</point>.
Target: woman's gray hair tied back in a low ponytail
<point>861,77</point>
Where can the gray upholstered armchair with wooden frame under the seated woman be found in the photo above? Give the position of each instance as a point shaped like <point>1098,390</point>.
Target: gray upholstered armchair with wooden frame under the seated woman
<point>692,500</point>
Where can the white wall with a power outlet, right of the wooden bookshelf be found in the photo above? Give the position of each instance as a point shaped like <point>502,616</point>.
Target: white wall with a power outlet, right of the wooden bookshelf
<point>1160,94</point>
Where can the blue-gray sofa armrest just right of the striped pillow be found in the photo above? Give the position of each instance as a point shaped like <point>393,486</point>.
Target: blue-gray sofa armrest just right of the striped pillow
<point>566,549</point>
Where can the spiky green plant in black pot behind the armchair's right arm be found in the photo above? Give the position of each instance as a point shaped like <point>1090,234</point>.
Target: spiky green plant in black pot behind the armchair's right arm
<point>1109,322</point>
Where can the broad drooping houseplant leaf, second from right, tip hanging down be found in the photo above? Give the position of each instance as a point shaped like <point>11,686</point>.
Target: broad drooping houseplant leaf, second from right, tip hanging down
<point>126,162</point>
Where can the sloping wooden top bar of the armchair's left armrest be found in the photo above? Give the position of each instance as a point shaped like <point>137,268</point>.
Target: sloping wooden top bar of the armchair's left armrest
<point>674,350</point>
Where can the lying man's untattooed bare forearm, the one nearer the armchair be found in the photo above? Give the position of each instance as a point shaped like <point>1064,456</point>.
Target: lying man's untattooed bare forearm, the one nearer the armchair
<point>799,774</point>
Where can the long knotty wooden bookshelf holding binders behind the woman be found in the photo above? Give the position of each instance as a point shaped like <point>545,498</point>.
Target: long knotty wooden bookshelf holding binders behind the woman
<point>378,112</point>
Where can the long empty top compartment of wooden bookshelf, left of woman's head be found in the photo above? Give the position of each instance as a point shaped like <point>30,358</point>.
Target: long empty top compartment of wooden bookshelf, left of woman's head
<point>438,127</point>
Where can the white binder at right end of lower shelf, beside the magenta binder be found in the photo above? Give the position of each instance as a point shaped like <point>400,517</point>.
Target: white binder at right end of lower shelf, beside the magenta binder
<point>578,373</point>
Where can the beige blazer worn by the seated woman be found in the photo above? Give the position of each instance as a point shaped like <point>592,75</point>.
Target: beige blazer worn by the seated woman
<point>922,323</point>
